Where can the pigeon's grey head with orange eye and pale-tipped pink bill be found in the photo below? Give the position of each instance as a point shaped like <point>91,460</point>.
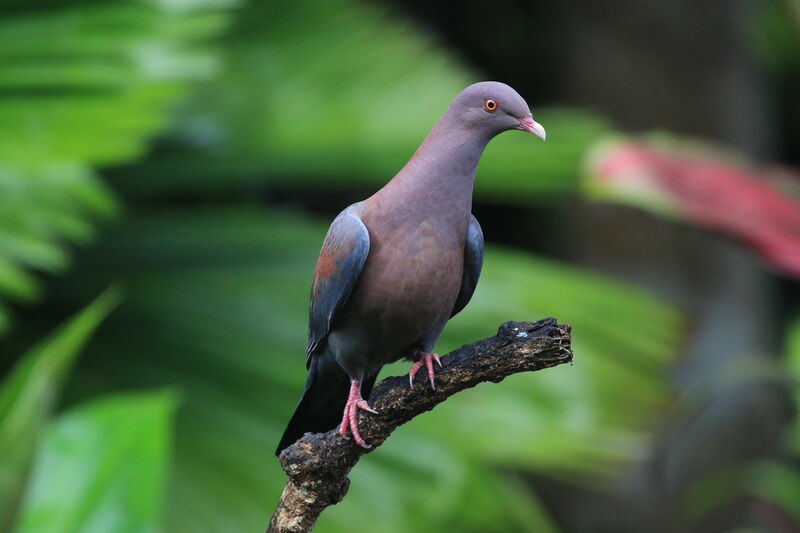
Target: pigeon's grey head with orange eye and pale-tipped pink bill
<point>494,107</point>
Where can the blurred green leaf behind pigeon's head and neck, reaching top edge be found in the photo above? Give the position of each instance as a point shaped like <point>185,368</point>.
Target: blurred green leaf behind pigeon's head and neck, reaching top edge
<point>336,94</point>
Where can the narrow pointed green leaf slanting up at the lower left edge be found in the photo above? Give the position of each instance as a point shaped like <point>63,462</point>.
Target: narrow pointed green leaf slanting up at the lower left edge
<point>28,393</point>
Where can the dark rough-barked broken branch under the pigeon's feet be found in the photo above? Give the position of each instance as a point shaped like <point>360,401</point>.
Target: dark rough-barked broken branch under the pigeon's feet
<point>318,463</point>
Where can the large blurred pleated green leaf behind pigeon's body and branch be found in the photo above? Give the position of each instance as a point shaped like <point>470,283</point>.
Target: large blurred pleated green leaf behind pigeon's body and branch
<point>217,307</point>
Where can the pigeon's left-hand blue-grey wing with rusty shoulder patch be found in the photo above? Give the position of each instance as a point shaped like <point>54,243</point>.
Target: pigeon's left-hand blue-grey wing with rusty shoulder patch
<point>339,266</point>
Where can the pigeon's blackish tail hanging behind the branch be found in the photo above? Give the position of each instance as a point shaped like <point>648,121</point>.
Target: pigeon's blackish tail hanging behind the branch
<point>322,404</point>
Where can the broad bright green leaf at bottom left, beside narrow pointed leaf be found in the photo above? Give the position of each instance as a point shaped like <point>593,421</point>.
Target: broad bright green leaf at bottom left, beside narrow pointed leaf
<point>101,468</point>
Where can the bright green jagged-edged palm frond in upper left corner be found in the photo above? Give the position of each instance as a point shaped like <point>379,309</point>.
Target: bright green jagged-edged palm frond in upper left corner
<point>82,83</point>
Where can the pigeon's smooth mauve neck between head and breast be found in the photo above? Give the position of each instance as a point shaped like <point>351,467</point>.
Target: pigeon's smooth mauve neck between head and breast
<point>441,174</point>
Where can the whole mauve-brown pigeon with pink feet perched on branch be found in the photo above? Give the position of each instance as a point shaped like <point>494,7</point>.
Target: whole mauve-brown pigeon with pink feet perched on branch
<point>394,268</point>
